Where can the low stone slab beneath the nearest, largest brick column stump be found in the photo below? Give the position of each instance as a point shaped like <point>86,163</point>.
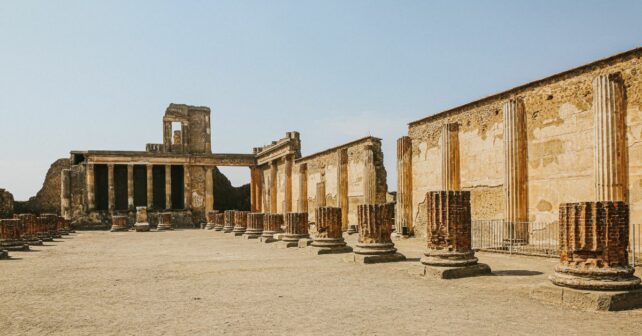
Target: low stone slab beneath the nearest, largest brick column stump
<point>586,299</point>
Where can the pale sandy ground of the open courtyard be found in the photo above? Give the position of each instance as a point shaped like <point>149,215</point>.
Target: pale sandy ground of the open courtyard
<point>196,282</point>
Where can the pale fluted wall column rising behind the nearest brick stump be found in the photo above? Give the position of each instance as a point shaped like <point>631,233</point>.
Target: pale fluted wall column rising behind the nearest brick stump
<point>609,110</point>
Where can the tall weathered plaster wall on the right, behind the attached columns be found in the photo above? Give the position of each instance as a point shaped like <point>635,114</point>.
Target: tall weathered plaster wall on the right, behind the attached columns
<point>560,143</point>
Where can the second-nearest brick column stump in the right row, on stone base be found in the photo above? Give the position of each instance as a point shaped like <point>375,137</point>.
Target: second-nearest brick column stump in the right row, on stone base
<point>448,236</point>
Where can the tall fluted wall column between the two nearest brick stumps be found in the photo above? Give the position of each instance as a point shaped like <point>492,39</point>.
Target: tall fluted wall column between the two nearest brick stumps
<point>516,172</point>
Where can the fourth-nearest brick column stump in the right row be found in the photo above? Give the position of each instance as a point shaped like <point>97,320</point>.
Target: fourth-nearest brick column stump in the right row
<point>329,236</point>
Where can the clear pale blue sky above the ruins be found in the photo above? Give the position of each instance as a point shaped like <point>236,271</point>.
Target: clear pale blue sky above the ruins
<point>99,74</point>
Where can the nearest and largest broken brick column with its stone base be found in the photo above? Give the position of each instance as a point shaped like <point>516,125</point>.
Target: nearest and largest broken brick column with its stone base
<point>594,271</point>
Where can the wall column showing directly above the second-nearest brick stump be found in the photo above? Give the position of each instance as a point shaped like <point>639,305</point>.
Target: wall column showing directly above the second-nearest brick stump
<point>450,157</point>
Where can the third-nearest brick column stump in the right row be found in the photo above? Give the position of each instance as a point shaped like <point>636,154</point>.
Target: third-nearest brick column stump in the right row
<point>375,227</point>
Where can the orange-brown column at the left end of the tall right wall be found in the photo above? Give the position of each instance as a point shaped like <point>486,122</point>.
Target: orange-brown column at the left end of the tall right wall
<point>403,218</point>
